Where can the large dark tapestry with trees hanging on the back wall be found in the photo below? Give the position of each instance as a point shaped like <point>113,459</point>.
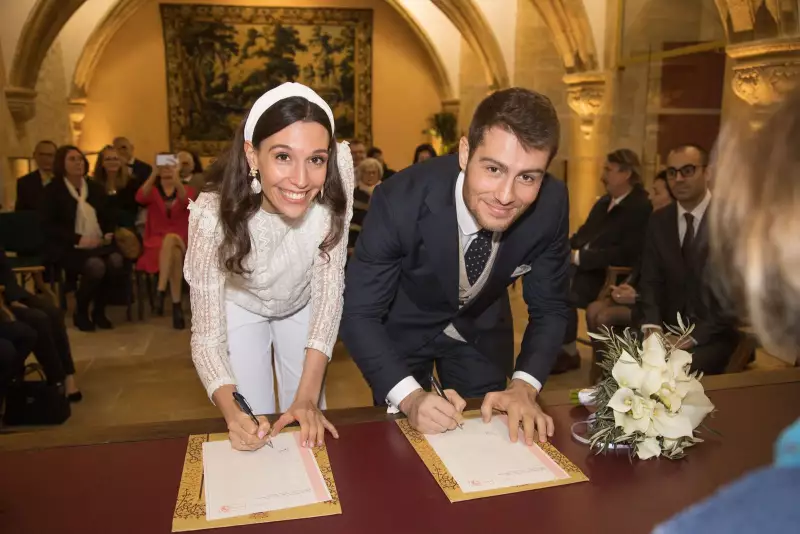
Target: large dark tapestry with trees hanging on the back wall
<point>220,59</point>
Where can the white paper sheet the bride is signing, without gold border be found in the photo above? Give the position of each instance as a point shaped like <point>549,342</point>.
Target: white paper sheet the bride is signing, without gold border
<point>245,482</point>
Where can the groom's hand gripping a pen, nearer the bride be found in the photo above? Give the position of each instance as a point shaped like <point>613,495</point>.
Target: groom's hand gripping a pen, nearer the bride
<point>431,414</point>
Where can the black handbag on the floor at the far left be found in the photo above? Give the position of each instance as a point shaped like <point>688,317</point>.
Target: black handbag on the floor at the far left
<point>35,402</point>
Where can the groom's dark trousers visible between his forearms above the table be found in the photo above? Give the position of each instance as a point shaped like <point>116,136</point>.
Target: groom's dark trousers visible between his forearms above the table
<point>460,366</point>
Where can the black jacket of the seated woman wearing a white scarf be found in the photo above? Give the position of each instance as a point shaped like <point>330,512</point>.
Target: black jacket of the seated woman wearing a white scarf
<point>58,216</point>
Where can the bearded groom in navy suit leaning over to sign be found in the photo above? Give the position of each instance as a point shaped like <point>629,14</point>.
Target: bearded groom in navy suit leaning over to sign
<point>428,281</point>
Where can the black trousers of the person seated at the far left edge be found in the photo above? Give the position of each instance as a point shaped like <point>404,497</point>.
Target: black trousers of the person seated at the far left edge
<point>52,344</point>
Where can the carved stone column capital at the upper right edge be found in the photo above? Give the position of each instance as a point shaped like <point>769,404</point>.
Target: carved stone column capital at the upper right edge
<point>764,72</point>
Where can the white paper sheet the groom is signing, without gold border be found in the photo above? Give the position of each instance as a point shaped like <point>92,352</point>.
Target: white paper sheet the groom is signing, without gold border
<point>482,457</point>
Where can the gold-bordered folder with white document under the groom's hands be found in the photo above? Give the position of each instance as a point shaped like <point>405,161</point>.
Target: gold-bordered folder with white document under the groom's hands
<point>479,460</point>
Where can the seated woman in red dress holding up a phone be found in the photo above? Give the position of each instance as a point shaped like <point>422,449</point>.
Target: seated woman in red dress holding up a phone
<point>166,234</point>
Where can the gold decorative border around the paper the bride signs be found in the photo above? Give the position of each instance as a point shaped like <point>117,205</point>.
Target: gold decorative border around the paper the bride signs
<point>190,508</point>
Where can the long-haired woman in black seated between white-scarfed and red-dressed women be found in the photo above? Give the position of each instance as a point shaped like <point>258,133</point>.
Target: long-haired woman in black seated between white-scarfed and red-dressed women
<point>120,186</point>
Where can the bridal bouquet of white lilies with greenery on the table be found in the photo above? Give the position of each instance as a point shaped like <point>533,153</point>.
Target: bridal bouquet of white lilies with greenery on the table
<point>647,400</point>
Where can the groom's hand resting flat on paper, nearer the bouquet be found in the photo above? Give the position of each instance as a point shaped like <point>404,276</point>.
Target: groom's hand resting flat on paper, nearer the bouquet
<point>519,402</point>
